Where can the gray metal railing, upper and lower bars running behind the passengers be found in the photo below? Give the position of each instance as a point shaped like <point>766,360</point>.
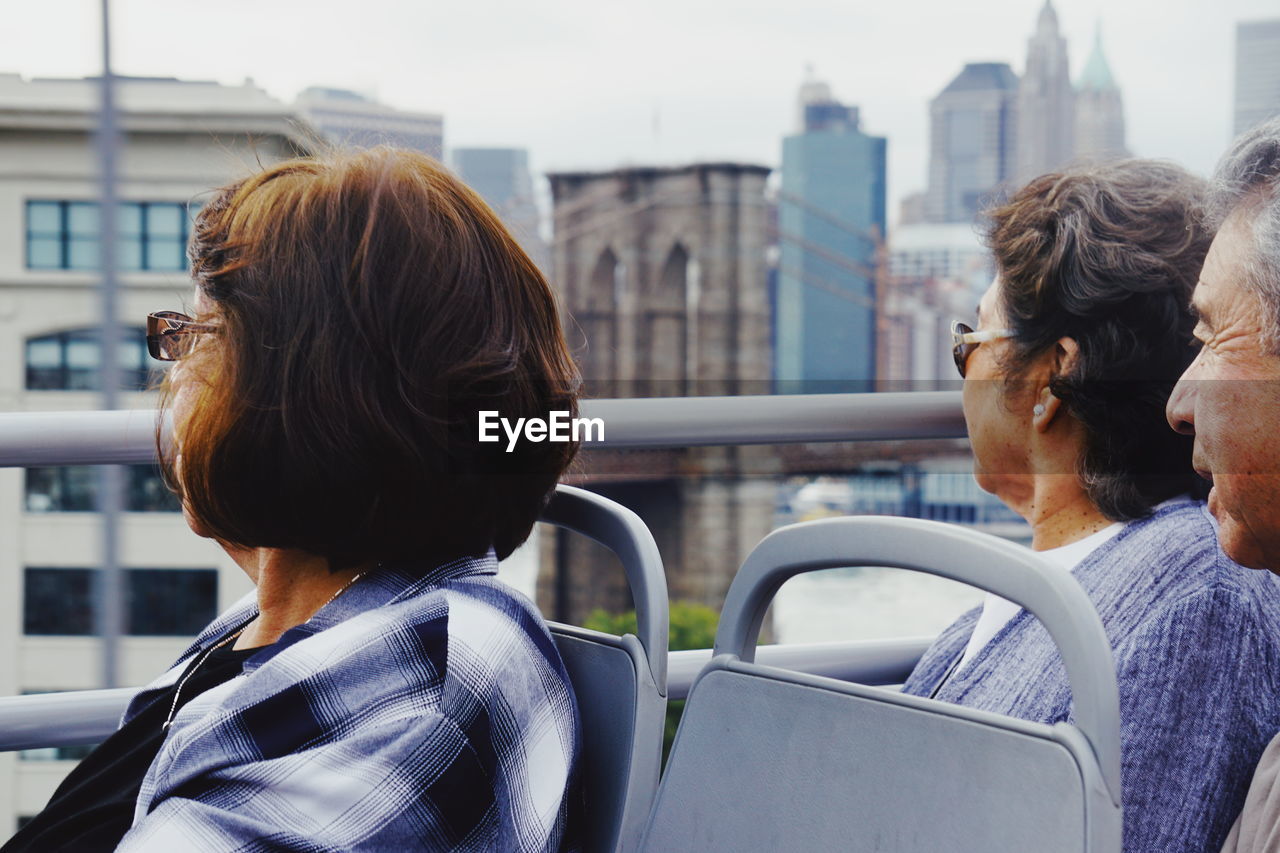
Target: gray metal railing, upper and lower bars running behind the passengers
<point>30,440</point>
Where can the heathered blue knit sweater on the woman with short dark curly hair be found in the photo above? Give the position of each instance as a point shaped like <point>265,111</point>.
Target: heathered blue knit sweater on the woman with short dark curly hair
<point>1197,647</point>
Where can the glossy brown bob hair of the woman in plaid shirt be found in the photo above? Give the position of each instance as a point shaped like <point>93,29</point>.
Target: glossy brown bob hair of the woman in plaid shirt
<point>368,307</point>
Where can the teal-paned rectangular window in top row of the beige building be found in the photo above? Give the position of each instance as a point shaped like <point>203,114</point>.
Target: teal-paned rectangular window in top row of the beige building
<point>66,235</point>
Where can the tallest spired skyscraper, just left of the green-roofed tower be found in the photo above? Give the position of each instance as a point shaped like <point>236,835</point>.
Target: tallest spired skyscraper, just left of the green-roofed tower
<point>1046,115</point>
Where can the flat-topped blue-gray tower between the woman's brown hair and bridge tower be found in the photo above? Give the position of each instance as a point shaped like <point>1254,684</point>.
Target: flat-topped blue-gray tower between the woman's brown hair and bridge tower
<point>501,176</point>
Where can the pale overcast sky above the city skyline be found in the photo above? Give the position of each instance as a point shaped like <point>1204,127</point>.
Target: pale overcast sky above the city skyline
<point>597,84</point>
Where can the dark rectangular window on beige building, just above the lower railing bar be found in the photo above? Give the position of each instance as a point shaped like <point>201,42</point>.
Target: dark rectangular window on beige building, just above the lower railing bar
<point>159,603</point>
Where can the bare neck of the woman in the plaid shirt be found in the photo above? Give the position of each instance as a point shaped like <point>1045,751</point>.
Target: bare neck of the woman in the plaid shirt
<point>292,587</point>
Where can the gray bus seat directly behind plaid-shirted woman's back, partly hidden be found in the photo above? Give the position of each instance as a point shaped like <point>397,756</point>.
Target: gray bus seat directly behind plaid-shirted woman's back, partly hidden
<point>620,682</point>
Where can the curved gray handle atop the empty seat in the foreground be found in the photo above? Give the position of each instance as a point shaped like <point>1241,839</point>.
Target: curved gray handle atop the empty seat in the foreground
<point>958,554</point>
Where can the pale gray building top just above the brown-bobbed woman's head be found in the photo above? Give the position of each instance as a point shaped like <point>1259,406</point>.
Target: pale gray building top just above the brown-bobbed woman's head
<point>353,120</point>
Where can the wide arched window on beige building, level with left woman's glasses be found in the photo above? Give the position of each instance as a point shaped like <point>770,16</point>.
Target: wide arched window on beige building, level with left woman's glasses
<point>70,361</point>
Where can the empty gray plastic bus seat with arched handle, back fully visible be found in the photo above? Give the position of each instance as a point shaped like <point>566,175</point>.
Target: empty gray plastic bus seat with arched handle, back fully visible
<point>775,760</point>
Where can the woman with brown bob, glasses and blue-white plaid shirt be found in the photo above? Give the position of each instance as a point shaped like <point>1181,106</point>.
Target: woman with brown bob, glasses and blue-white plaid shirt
<point>381,690</point>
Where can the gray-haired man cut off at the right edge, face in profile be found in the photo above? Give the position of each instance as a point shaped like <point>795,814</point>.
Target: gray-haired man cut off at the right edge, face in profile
<point>1229,399</point>
